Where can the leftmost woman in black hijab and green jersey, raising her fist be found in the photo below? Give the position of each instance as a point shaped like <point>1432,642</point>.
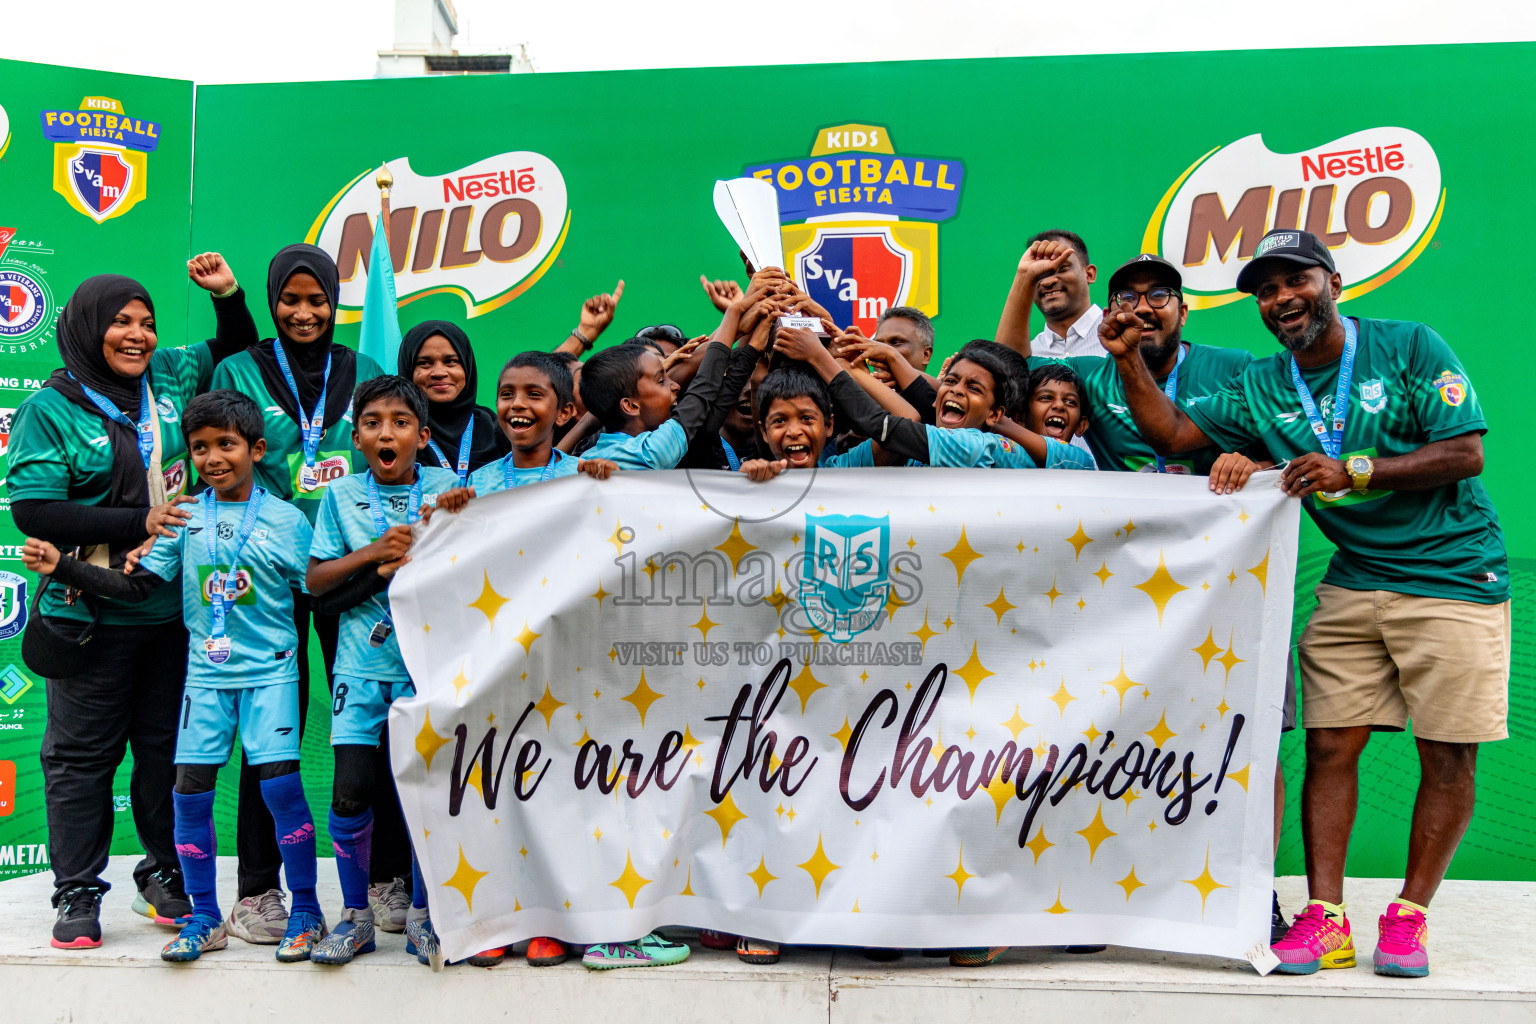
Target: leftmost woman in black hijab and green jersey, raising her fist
<point>107,500</point>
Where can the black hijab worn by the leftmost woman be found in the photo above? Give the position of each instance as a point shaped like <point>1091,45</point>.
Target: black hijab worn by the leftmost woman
<point>82,334</point>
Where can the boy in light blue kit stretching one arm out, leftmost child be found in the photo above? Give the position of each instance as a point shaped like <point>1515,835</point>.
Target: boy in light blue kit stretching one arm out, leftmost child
<point>239,560</point>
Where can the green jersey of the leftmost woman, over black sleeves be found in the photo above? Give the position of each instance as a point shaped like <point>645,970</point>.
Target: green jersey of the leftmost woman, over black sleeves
<point>61,452</point>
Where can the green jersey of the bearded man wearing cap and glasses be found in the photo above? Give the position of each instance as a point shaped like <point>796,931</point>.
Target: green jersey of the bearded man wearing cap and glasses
<point>1113,434</point>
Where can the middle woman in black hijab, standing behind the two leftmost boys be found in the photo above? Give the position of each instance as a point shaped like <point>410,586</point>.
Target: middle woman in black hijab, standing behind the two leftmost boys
<point>320,377</point>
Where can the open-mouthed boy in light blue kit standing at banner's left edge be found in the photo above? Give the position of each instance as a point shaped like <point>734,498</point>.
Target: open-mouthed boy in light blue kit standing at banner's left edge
<point>362,540</point>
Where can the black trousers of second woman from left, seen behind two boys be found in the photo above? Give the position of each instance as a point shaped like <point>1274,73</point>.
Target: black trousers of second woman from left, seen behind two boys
<point>256,841</point>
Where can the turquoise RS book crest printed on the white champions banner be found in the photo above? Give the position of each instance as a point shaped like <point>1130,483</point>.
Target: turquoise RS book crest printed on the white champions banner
<point>847,581</point>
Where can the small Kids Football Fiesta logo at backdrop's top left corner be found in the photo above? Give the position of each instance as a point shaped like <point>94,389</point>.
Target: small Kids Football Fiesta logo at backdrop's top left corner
<point>101,157</point>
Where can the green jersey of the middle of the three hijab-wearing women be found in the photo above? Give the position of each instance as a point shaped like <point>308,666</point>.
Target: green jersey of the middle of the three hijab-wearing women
<point>285,458</point>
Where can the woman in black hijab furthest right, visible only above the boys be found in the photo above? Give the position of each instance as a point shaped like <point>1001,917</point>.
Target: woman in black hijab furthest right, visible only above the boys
<point>439,357</point>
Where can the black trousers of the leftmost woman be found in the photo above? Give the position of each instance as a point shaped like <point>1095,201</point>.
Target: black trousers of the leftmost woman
<point>130,698</point>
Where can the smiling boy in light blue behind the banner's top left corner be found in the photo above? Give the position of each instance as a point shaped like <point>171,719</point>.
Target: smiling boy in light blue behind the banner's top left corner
<point>534,397</point>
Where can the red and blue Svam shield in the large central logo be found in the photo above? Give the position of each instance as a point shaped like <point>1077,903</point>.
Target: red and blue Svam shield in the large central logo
<point>856,274</point>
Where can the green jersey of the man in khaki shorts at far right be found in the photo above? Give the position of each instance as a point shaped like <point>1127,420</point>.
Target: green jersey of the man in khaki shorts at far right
<point>1408,391</point>
